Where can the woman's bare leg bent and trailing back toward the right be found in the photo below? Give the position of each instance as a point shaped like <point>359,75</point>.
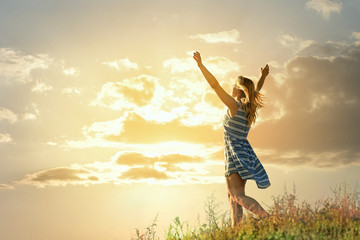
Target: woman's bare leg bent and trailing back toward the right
<point>236,187</point>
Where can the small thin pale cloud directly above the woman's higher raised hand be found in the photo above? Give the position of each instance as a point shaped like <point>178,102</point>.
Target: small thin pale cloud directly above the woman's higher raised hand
<point>231,36</point>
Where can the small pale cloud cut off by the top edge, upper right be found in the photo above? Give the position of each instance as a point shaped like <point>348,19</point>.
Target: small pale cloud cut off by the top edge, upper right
<point>324,7</point>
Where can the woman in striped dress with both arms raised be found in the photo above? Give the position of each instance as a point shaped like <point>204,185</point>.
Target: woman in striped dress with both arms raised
<point>241,162</point>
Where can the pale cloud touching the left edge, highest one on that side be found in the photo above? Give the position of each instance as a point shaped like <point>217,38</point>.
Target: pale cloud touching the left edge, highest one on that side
<point>17,67</point>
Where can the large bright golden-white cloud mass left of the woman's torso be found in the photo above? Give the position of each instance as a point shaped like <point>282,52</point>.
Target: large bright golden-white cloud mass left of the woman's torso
<point>185,112</point>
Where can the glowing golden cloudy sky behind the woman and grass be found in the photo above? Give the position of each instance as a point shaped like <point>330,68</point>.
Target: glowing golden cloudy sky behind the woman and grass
<point>106,120</point>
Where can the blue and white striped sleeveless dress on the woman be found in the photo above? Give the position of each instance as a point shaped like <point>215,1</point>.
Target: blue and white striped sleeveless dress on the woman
<point>239,155</point>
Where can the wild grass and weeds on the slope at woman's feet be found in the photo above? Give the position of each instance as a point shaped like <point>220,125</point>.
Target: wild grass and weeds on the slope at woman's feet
<point>336,217</point>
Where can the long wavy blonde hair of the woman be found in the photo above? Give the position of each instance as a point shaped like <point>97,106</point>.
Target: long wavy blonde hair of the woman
<point>252,100</point>
